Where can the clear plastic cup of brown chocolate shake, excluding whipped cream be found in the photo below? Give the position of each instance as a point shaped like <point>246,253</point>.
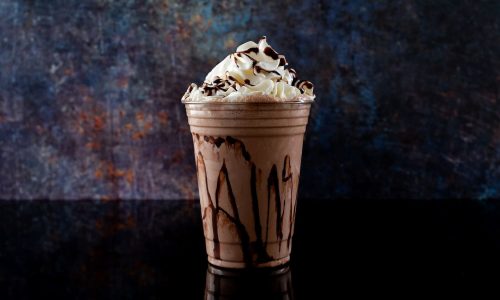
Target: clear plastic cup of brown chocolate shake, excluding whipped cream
<point>248,162</point>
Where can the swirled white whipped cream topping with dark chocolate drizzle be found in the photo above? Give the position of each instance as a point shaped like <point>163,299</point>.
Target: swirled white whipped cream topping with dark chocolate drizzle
<point>255,69</point>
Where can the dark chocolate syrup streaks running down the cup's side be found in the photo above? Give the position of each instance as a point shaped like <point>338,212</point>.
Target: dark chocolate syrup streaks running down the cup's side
<point>259,246</point>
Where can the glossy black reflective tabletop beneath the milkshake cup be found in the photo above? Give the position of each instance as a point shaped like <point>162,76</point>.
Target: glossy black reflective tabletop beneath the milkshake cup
<point>155,250</point>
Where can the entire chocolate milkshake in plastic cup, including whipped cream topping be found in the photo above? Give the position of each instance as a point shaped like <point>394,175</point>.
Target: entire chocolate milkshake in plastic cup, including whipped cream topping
<point>248,121</point>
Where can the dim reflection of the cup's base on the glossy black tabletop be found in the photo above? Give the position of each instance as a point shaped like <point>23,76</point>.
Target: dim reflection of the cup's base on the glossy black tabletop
<point>241,284</point>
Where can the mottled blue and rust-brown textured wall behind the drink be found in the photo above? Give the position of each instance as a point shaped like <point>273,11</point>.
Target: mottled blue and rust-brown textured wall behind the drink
<point>407,94</point>
